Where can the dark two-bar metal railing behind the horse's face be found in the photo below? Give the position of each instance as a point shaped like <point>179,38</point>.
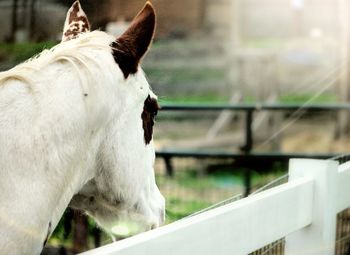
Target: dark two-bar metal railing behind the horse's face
<point>246,152</point>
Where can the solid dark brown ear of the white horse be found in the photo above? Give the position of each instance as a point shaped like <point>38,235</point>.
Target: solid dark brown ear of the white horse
<point>131,46</point>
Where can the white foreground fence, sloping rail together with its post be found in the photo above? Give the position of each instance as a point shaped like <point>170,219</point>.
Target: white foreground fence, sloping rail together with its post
<point>303,210</point>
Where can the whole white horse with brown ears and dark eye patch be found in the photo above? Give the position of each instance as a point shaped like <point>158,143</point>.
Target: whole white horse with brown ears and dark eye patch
<point>76,121</point>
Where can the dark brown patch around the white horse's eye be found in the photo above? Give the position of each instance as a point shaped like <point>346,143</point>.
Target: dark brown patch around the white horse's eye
<point>150,110</point>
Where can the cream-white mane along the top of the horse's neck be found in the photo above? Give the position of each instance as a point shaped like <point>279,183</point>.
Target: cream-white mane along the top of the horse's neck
<point>69,51</point>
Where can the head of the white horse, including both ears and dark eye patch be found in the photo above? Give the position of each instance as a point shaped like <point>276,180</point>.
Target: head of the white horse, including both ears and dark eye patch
<point>122,187</point>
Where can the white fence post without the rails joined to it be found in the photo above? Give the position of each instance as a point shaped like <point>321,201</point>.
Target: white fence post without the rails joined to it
<point>319,237</point>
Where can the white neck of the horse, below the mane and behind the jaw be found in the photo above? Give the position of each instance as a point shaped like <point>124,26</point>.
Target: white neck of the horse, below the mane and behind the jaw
<point>47,154</point>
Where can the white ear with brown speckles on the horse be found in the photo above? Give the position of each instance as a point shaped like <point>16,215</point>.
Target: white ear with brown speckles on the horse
<point>76,22</point>
